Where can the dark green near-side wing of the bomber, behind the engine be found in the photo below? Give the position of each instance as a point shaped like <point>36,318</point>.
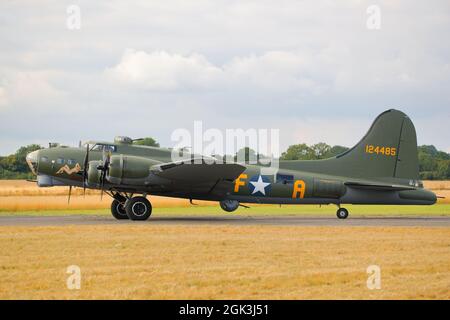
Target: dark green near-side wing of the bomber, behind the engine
<point>198,171</point>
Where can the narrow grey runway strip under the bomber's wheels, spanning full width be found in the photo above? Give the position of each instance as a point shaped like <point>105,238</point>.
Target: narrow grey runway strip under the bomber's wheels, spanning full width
<point>228,220</point>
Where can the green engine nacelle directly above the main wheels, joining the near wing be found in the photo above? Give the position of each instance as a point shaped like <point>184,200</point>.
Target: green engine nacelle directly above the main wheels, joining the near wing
<point>129,169</point>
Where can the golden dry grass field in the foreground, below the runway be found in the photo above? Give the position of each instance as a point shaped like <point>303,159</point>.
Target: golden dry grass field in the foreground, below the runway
<point>224,262</point>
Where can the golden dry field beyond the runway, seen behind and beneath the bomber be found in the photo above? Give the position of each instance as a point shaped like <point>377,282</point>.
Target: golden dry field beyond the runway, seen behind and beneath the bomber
<point>19,195</point>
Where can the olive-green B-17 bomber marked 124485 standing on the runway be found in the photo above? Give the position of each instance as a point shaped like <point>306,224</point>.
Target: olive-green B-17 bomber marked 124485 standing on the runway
<point>381,169</point>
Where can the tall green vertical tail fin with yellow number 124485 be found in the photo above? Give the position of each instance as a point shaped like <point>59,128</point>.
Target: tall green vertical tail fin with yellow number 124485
<point>388,150</point>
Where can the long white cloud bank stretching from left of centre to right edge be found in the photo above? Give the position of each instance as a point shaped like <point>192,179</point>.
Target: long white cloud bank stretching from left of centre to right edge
<point>330,69</point>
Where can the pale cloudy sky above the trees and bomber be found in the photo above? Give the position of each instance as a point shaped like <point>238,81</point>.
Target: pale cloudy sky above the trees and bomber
<point>315,70</point>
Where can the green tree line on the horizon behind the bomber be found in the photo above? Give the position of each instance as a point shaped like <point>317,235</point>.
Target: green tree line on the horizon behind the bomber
<point>433,164</point>
